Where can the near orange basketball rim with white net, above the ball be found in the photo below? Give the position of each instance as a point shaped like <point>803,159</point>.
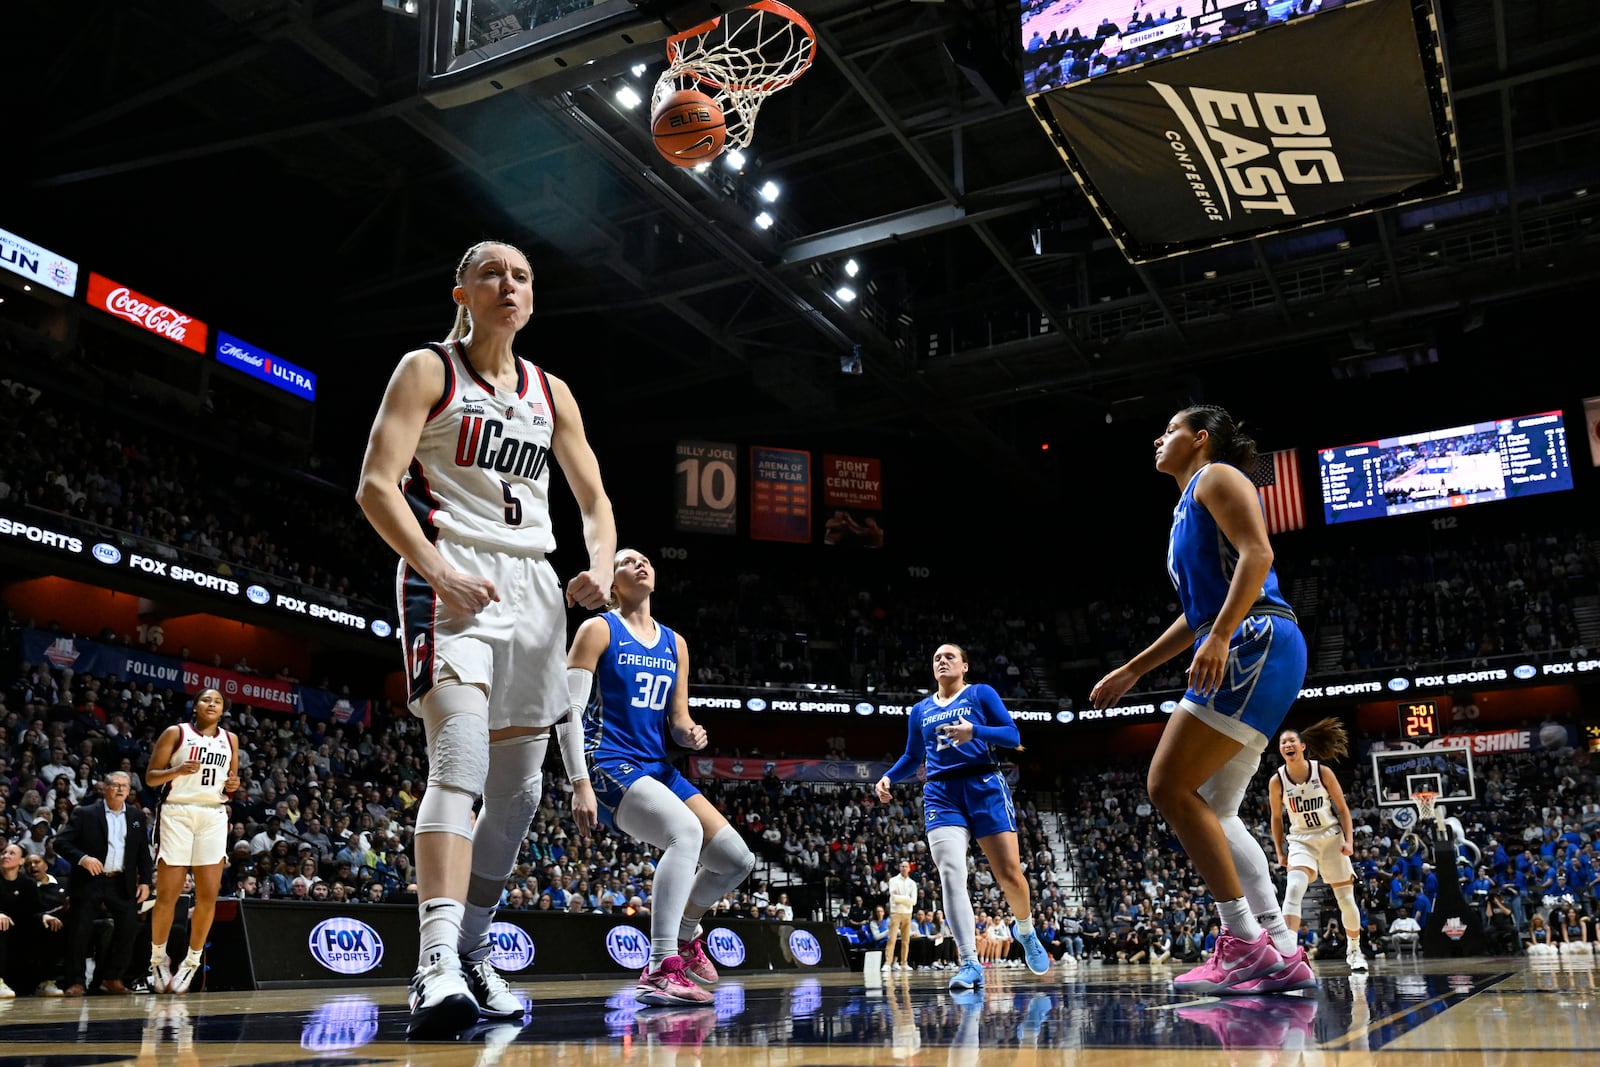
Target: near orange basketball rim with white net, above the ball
<point>740,60</point>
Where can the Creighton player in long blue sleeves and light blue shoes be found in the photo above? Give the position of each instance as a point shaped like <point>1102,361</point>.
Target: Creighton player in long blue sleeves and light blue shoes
<point>956,733</point>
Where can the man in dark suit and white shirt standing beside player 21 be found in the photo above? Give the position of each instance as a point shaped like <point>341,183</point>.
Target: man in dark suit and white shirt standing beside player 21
<point>110,849</point>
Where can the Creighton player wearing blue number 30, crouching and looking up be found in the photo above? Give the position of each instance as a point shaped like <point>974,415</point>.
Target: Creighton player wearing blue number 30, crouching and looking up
<point>638,671</point>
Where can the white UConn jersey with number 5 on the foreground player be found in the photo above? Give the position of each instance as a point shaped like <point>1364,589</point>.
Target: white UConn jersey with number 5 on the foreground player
<point>482,466</point>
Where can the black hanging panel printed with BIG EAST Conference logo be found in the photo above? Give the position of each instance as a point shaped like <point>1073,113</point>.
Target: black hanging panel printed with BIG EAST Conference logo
<point>1305,122</point>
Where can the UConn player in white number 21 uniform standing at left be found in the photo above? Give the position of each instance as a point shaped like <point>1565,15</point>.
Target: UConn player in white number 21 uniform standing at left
<point>198,767</point>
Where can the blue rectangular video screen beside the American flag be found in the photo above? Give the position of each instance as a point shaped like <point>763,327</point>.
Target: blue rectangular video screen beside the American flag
<point>1450,468</point>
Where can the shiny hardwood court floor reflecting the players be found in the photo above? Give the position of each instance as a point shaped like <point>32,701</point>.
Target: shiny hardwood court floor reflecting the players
<point>1434,1013</point>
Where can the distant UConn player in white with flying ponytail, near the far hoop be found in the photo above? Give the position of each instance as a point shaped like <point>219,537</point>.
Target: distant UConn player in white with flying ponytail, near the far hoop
<point>1321,836</point>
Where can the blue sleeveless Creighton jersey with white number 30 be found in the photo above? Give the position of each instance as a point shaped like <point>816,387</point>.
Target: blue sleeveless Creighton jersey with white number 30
<point>634,682</point>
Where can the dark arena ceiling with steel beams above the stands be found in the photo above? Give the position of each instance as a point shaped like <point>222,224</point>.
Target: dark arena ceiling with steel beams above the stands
<point>273,164</point>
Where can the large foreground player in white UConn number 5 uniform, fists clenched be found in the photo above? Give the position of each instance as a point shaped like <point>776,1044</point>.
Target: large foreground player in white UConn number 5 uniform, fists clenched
<point>471,430</point>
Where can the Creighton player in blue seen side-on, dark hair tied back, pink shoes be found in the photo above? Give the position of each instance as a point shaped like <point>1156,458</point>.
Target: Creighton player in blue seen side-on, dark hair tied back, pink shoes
<point>1249,666</point>
